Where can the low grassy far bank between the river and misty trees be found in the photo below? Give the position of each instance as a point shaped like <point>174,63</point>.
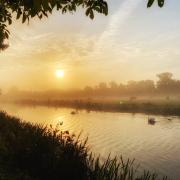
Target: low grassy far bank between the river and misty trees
<point>128,106</point>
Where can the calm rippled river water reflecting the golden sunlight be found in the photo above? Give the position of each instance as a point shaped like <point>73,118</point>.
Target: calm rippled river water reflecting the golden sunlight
<point>155,147</point>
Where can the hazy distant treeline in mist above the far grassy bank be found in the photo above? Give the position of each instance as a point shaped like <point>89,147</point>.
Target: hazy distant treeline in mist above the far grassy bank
<point>165,85</point>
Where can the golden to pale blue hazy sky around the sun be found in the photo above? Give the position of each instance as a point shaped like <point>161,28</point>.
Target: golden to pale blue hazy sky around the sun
<point>131,43</point>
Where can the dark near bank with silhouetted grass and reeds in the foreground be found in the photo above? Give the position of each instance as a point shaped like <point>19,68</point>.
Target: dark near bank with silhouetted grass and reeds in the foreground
<point>33,152</point>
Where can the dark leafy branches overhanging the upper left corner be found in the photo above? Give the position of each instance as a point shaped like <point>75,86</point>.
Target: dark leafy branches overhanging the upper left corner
<point>27,9</point>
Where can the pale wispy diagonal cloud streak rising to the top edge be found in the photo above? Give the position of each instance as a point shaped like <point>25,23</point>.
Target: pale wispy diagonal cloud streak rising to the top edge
<point>107,40</point>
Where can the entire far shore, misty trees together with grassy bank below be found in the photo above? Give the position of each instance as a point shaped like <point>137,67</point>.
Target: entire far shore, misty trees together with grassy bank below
<point>144,96</point>
